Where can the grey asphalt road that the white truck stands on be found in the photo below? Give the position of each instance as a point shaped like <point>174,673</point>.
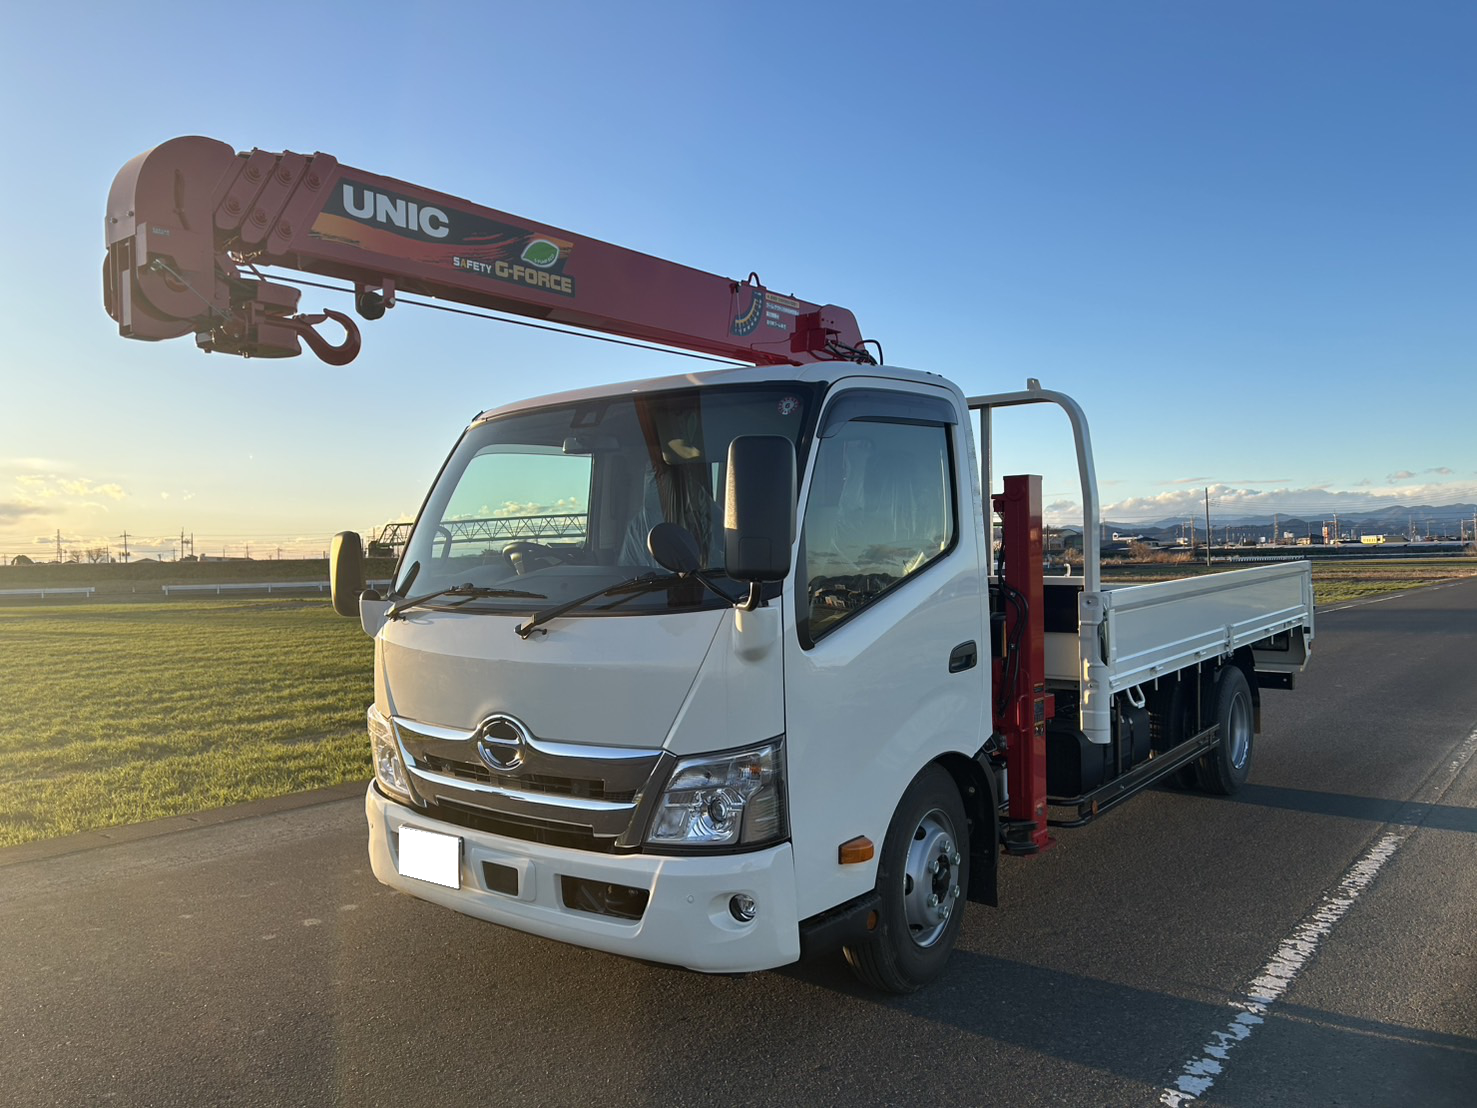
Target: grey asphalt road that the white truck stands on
<point>258,962</point>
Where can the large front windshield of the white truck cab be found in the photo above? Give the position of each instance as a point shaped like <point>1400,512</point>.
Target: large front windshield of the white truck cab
<point>559,502</point>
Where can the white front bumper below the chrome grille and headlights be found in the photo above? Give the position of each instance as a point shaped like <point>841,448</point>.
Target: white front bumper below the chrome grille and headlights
<point>686,921</point>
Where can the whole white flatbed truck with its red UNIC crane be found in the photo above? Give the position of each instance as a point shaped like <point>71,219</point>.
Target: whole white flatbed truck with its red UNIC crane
<point>714,670</point>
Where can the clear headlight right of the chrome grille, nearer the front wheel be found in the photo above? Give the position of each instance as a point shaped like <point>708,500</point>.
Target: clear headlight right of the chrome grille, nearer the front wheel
<point>727,800</point>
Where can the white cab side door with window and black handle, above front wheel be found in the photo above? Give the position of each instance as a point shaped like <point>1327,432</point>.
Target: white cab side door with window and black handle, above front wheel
<point>885,655</point>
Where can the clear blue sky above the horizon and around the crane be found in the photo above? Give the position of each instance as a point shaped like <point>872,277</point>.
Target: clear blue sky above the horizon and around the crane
<point>1241,234</point>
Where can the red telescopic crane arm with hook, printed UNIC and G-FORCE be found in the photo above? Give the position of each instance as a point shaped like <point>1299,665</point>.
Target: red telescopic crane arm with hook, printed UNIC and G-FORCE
<point>191,219</point>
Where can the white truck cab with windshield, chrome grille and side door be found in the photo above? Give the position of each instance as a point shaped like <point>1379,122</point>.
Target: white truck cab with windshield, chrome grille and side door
<point>659,770</point>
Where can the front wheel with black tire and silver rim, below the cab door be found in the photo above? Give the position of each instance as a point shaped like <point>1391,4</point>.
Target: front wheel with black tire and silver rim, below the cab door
<point>922,878</point>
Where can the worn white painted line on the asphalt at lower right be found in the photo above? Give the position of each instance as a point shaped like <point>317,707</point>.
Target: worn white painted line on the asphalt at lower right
<point>1298,951</point>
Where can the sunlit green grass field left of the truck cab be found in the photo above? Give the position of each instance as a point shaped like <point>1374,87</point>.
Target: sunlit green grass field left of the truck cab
<point>126,713</point>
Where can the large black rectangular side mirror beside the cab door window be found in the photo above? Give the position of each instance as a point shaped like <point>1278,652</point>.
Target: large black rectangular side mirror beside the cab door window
<point>760,509</point>
